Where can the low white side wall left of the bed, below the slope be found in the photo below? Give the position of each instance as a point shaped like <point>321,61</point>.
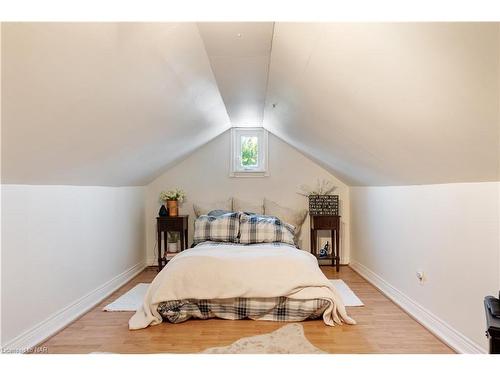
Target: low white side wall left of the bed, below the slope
<point>59,243</point>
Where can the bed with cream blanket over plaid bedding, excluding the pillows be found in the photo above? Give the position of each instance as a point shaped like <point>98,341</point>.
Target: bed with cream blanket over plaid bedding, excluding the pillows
<point>230,280</point>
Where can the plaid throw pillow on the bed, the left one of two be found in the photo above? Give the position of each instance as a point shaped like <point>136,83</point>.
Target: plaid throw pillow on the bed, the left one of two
<point>223,228</point>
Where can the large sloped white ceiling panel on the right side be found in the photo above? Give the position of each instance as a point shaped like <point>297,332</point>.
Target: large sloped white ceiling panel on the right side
<point>389,104</point>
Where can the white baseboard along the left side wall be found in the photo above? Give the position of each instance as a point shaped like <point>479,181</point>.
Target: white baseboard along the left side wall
<point>53,324</point>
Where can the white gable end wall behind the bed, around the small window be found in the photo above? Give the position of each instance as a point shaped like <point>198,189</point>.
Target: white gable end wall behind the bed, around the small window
<point>204,176</point>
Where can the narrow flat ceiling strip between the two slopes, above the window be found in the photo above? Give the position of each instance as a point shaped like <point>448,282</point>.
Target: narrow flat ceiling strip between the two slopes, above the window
<point>239,53</point>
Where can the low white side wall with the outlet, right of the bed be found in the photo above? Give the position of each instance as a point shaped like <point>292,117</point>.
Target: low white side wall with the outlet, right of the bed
<point>450,231</point>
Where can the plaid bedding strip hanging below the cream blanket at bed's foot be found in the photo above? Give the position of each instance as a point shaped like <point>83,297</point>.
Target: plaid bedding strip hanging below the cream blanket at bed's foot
<point>281,309</point>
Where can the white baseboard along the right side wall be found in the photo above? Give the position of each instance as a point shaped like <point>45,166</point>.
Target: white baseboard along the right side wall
<point>441,329</point>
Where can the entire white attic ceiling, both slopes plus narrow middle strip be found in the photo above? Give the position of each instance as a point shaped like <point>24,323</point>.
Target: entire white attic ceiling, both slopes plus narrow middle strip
<point>376,104</point>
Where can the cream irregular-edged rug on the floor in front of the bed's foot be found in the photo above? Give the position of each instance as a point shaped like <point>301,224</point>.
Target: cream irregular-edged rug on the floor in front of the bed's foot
<point>289,339</point>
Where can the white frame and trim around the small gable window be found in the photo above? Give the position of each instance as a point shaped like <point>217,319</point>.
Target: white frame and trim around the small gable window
<point>236,171</point>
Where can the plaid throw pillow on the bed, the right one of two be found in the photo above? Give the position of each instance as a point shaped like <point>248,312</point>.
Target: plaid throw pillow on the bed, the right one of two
<point>259,228</point>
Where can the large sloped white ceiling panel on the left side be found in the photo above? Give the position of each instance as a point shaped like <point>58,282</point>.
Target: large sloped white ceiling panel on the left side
<point>104,103</point>
